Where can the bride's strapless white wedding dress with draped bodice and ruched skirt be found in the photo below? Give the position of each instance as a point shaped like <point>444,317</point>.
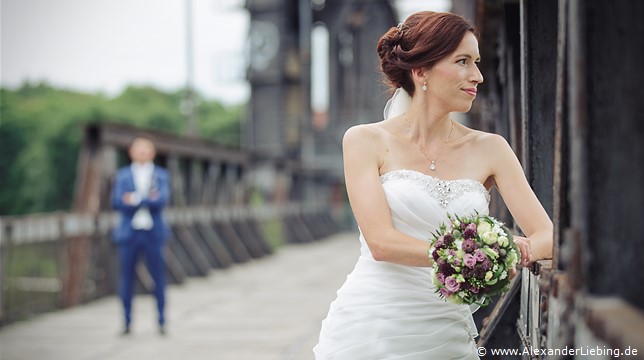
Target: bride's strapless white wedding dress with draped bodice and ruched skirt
<point>390,311</point>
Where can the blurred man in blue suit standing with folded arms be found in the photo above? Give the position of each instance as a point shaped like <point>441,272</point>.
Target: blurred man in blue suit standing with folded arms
<point>141,191</point>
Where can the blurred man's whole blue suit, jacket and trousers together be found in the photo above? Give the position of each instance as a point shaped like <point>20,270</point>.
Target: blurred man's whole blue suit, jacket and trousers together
<point>132,242</point>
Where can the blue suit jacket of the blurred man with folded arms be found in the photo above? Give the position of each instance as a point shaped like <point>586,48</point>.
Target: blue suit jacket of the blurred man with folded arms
<point>123,183</point>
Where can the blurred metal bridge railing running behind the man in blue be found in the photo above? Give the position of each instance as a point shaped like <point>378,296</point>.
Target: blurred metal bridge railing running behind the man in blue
<point>35,270</point>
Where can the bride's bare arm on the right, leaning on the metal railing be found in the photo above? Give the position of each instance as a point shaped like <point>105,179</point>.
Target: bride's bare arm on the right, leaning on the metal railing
<point>522,202</point>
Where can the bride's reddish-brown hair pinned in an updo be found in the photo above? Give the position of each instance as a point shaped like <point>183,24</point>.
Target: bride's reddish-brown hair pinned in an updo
<point>424,39</point>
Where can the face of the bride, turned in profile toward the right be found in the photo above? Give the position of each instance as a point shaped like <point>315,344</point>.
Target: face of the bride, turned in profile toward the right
<point>452,82</point>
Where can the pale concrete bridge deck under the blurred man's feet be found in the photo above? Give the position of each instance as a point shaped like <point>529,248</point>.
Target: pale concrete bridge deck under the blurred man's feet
<point>265,309</point>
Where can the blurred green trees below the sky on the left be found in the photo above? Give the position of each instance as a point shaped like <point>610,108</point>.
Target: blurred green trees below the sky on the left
<point>41,133</point>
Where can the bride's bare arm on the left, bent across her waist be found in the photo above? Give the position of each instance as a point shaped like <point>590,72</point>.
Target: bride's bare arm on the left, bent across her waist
<point>369,204</point>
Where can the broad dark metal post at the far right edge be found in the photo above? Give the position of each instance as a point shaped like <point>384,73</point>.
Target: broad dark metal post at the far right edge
<point>613,128</point>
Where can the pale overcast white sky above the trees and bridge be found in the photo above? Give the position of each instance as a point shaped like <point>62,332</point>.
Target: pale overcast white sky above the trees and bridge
<point>105,45</point>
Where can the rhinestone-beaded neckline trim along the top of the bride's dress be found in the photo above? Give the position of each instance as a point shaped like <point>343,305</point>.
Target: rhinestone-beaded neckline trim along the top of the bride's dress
<point>444,191</point>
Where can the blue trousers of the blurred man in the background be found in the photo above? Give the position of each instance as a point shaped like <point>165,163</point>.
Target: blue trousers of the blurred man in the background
<point>142,243</point>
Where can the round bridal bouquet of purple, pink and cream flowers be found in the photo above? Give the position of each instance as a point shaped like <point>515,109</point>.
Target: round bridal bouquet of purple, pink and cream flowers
<point>472,259</point>
